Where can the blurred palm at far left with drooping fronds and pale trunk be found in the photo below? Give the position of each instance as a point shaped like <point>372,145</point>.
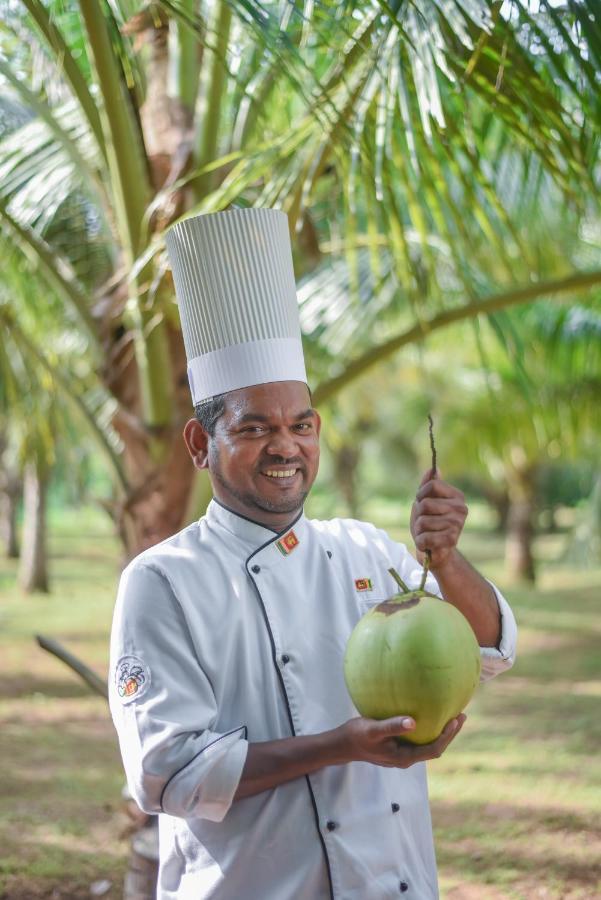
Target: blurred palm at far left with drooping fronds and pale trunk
<point>48,397</point>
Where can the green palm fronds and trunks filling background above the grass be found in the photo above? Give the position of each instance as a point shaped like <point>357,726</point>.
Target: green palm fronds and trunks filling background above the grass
<point>439,164</point>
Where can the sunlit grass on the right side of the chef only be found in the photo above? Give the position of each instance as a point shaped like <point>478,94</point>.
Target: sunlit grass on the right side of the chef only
<point>516,806</point>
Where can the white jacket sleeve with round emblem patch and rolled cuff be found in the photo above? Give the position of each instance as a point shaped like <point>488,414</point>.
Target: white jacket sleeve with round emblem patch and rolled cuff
<point>163,706</point>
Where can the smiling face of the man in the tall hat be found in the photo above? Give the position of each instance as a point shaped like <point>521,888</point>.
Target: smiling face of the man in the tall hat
<point>264,455</point>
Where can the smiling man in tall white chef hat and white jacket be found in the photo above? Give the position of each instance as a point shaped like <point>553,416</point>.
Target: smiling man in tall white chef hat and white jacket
<point>227,685</point>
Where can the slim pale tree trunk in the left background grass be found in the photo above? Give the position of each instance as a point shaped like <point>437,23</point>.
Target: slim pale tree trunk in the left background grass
<point>33,571</point>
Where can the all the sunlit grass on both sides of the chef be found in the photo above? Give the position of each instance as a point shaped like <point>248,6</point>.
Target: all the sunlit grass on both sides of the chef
<point>515,802</point>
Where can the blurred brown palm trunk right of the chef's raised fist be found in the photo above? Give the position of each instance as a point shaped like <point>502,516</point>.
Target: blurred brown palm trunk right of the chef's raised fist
<point>519,558</point>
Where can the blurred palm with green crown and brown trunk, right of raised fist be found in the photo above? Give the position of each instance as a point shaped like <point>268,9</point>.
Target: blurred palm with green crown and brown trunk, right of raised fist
<point>532,404</point>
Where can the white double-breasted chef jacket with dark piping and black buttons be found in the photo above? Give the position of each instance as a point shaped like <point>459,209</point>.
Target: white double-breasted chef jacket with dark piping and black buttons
<point>228,633</point>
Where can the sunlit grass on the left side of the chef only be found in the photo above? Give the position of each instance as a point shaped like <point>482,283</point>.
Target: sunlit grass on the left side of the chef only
<point>60,804</point>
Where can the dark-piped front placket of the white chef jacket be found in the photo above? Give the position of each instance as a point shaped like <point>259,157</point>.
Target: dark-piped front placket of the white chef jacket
<point>258,564</point>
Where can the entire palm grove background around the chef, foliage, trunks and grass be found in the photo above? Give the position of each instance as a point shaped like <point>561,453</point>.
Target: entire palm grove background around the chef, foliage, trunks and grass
<point>439,164</point>
